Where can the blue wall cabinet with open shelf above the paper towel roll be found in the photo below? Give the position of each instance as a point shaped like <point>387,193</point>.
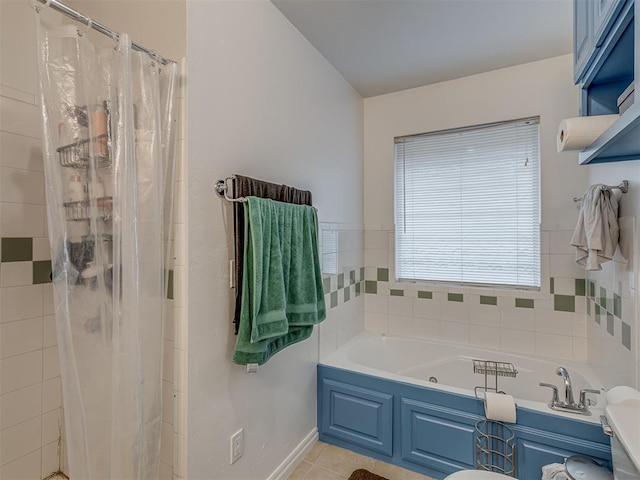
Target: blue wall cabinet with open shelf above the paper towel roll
<point>606,51</point>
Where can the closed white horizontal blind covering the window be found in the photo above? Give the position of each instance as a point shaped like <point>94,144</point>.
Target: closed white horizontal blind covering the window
<point>467,206</point>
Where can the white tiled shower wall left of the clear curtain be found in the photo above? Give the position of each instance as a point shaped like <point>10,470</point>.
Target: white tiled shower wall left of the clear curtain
<point>30,401</point>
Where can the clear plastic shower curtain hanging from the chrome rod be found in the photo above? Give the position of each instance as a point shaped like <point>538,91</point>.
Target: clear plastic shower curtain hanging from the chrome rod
<point>109,117</point>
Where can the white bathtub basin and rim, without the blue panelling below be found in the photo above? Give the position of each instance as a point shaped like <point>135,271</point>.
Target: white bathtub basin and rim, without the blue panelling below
<point>416,361</point>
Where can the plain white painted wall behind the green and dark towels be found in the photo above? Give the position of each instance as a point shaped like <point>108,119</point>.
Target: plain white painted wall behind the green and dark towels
<point>264,103</point>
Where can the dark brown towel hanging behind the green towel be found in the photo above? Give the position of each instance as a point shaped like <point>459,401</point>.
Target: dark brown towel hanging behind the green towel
<point>246,187</point>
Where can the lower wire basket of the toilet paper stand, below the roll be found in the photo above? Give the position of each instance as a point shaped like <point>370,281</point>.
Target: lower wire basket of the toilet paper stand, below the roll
<point>495,448</point>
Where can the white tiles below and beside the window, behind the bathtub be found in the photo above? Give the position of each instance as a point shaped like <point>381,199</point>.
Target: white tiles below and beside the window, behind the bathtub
<point>540,330</point>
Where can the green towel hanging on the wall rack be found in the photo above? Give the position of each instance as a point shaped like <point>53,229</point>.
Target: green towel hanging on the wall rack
<point>282,294</point>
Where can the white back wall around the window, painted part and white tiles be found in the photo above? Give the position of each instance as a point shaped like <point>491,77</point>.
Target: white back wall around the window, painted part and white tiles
<point>543,89</point>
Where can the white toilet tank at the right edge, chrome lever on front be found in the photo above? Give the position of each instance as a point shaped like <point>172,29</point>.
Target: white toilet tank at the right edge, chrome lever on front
<point>624,420</point>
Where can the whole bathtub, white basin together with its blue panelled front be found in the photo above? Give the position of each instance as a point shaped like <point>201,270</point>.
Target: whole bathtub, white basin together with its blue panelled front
<point>412,403</point>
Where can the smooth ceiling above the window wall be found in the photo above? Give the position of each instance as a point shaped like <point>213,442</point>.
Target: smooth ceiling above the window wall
<point>383,46</point>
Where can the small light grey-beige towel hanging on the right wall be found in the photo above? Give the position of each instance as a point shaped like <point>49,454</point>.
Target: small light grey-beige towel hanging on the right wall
<point>596,234</point>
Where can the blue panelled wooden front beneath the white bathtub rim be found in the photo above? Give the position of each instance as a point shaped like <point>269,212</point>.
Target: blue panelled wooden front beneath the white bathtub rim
<point>433,432</point>
